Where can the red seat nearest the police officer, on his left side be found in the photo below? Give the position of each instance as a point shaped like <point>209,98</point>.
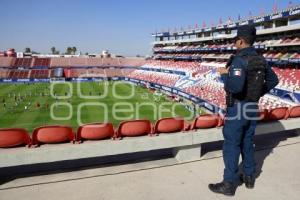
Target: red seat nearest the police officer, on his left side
<point>206,121</point>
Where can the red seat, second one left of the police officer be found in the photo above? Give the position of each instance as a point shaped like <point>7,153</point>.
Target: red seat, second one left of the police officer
<point>169,125</point>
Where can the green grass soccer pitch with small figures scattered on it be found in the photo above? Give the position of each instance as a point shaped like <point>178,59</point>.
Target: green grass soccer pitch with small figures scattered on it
<point>88,102</point>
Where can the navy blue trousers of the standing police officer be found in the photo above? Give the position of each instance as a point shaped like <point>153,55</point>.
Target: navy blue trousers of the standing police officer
<point>238,131</point>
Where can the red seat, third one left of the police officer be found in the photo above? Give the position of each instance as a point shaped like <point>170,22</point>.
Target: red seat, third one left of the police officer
<point>134,128</point>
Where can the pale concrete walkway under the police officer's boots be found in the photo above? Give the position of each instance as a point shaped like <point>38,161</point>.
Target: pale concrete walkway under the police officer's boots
<point>166,179</point>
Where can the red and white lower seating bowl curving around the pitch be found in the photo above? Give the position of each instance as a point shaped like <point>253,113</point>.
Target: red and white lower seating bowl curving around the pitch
<point>203,79</point>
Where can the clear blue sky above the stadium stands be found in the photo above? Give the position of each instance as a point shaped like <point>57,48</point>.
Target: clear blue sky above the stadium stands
<point>121,26</point>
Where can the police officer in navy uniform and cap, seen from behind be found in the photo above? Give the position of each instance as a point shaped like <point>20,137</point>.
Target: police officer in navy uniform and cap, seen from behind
<point>242,110</point>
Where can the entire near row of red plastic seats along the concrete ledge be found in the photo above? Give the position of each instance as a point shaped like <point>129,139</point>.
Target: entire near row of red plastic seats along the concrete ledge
<point>15,137</point>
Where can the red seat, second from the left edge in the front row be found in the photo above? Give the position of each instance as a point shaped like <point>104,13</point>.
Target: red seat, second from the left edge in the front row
<point>52,135</point>
